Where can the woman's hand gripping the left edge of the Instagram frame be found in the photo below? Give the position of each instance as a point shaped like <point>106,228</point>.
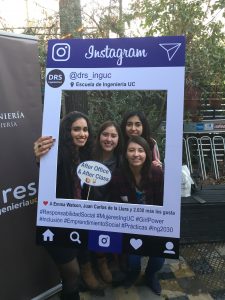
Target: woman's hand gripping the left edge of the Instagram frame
<point>42,146</point>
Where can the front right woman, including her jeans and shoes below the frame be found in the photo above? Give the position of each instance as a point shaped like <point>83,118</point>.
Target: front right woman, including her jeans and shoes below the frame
<point>138,181</point>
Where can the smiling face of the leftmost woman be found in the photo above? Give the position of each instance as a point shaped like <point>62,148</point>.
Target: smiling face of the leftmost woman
<point>79,132</point>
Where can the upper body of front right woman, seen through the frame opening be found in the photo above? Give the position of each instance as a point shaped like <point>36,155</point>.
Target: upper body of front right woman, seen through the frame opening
<point>137,174</point>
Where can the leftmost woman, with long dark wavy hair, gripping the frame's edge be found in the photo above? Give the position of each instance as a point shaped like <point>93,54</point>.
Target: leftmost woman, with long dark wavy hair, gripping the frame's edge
<point>75,146</point>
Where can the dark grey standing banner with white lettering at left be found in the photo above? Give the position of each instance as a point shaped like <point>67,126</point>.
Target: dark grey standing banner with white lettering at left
<point>26,270</point>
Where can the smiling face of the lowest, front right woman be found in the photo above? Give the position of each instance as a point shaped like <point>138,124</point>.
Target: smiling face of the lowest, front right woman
<point>136,155</point>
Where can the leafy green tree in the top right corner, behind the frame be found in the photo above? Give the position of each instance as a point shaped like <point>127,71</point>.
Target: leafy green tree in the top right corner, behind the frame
<point>198,21</point>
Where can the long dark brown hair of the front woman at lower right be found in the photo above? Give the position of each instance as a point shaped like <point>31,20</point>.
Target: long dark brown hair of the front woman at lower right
<point>145,170</point>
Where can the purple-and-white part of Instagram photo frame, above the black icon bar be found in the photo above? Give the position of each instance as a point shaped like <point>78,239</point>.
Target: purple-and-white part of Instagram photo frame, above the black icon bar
<point>131,64</point>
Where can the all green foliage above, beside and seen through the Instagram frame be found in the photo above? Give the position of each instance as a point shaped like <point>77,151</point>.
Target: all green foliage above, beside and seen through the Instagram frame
<point>196,19</point>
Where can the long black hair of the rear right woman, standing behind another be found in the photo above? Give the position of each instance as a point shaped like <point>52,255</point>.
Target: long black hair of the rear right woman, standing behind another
<point>146,133</point>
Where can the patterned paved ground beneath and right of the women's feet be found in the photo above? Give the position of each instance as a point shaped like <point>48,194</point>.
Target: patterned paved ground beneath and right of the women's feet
<point>199,274</point>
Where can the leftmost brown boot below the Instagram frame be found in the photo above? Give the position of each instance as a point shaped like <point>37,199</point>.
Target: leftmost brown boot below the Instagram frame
<point>89,277</point>
